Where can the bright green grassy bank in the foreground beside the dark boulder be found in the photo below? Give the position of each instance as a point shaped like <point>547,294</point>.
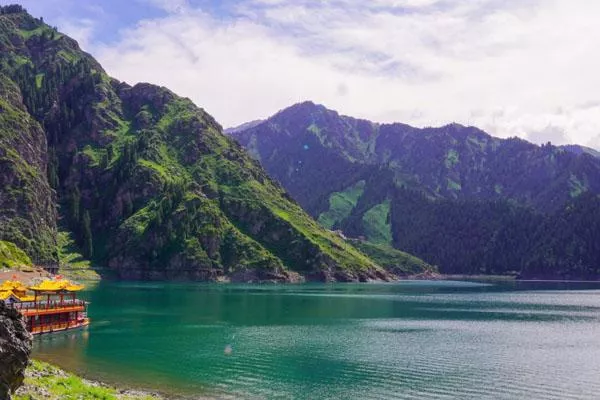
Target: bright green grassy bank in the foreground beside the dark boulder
<point>56,384</point>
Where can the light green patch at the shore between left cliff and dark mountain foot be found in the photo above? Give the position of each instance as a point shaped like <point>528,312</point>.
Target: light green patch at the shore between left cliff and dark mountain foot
<point>72,263</point>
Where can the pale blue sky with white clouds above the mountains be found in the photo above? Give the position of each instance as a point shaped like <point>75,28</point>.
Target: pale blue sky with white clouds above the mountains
<point>527,68</point>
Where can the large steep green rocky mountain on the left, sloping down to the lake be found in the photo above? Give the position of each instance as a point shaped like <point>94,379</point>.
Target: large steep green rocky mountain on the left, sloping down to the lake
<point>145,180</point>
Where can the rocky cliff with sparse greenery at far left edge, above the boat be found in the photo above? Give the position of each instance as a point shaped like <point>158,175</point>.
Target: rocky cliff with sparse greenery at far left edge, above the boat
<point>27,210</point>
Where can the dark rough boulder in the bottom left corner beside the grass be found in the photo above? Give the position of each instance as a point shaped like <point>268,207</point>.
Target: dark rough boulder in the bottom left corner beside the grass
<point>15,348</point>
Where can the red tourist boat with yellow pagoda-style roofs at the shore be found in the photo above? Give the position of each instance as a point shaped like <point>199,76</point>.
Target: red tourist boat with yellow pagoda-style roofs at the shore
<point>50,306</point>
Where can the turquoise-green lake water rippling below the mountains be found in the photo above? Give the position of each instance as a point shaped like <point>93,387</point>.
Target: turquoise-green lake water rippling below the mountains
<point>410,340</point>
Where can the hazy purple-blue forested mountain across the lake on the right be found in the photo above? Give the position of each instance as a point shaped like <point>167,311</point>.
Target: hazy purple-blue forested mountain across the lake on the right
<point>454,195</point>
